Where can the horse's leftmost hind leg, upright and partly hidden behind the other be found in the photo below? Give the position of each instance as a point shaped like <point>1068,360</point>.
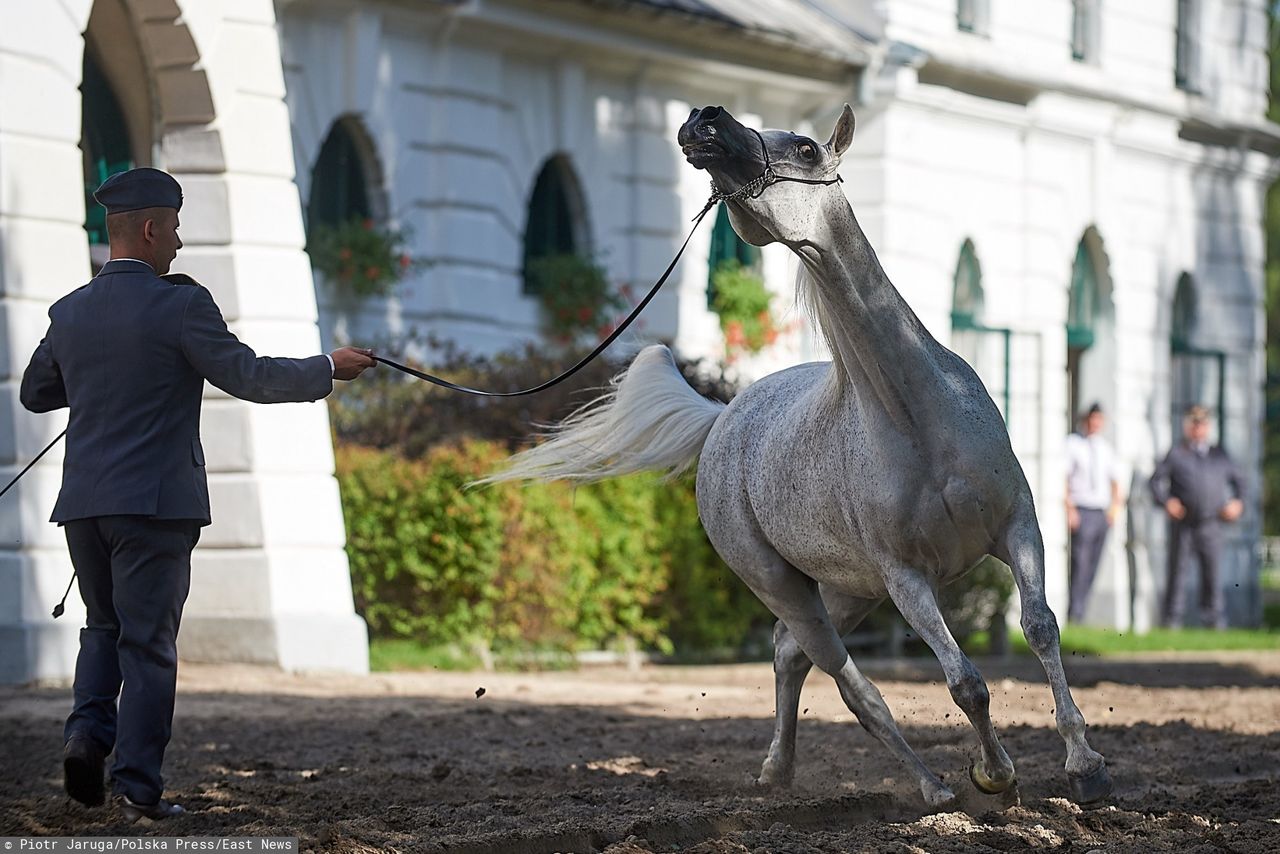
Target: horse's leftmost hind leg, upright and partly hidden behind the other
<point>790,668</point>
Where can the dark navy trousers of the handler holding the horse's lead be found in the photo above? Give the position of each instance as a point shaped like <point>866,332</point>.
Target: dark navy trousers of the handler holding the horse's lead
<point>134,577</point>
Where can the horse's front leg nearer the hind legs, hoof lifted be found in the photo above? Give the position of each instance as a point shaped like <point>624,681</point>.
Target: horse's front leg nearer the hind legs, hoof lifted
<point>917,602</point>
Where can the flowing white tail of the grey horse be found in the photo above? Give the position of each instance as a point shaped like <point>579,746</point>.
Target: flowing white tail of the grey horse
<point>652,421</point>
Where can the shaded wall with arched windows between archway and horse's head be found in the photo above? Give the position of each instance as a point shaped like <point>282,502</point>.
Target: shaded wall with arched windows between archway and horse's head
<point>465,107</point>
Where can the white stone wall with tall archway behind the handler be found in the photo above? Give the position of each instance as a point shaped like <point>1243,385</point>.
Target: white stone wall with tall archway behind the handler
<point>269,581</point>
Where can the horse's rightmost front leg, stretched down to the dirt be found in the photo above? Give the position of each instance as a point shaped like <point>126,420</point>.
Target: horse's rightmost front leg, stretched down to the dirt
<point>1023,550</point>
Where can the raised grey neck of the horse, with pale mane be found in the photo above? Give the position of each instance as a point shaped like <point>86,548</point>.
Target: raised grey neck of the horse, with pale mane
<point>881,350</point>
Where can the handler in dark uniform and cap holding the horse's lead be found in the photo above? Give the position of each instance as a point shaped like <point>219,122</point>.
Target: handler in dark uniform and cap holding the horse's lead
<point>130,354</point>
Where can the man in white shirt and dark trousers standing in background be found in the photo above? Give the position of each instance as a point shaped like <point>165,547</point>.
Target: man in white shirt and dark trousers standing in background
<point>1092,504</point>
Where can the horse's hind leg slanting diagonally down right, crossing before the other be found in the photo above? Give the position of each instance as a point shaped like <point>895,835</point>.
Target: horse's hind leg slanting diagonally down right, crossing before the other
<point>794,599</point>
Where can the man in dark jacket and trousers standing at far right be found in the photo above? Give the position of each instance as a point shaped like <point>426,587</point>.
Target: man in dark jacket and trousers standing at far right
<point>1200,488</point>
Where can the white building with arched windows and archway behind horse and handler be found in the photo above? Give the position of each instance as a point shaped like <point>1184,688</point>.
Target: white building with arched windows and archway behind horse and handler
<point>1067,193</point>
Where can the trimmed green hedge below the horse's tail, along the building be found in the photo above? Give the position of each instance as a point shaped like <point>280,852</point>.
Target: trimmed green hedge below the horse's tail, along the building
<point>533,565</point>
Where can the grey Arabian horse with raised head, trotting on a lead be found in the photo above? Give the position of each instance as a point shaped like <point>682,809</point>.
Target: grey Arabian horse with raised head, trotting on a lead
<point>831,486</point>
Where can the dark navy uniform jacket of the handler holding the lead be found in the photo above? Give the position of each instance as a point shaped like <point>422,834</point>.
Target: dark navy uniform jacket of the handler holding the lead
<point>130,354</point>
